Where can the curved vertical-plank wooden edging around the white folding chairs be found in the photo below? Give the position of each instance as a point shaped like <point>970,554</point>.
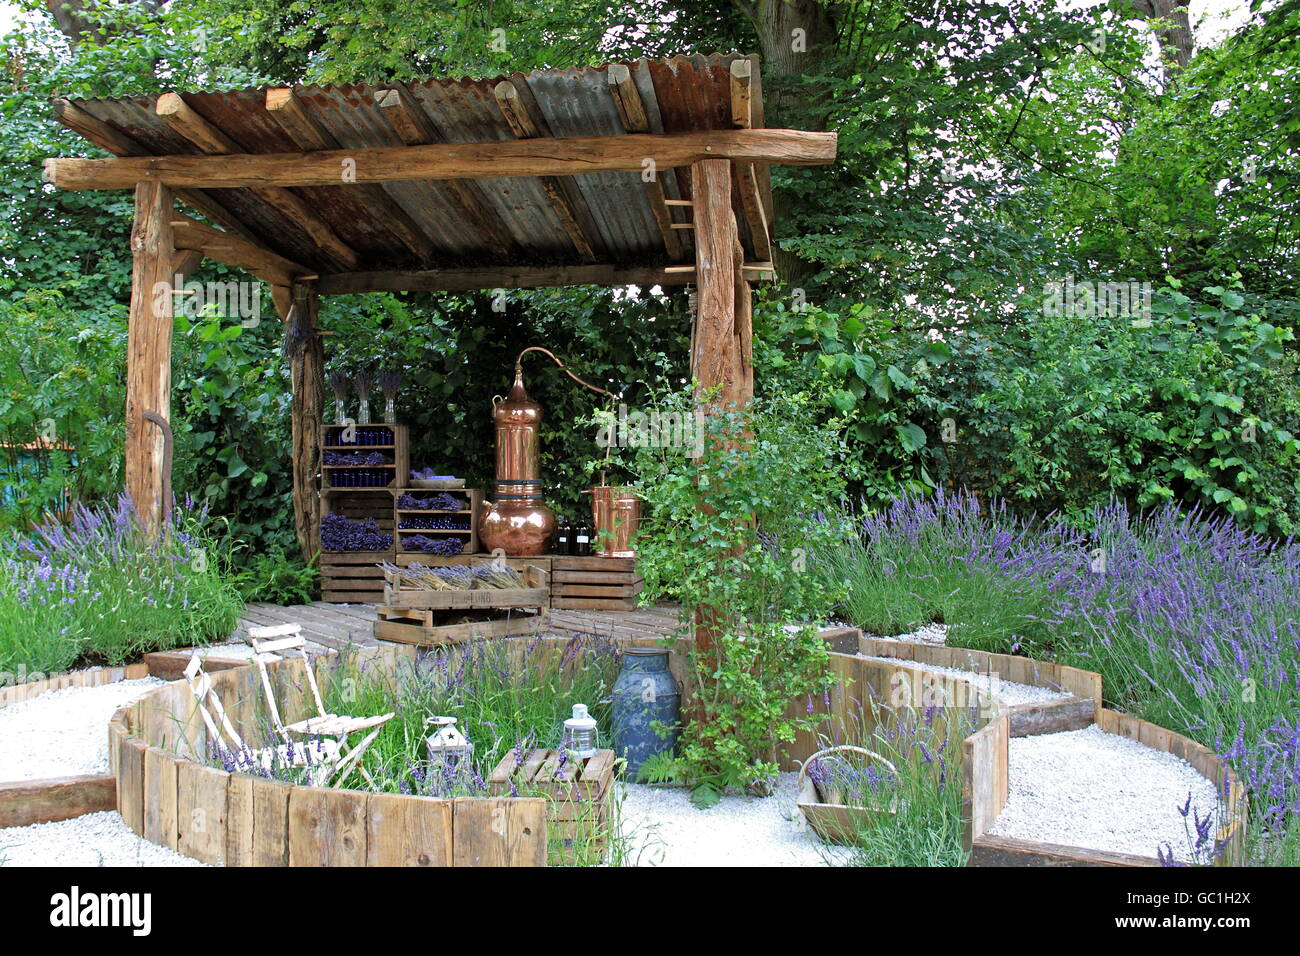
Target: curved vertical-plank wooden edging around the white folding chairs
<point>240,820</point>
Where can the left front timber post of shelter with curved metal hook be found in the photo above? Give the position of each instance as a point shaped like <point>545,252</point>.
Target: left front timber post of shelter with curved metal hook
<point>149,352</point>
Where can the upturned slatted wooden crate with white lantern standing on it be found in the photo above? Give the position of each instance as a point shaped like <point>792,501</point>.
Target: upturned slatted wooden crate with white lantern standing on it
<point>579,812</point>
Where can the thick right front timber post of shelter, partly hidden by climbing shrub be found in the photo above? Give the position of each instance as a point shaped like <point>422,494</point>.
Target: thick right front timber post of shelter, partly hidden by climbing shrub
<point>716,361</point>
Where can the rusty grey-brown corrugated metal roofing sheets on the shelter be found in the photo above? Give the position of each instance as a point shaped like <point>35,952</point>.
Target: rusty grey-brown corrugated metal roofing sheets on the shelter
<point>484,223</point>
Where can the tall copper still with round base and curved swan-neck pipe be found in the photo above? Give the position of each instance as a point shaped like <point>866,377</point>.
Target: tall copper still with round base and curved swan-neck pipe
<point>519,522</point>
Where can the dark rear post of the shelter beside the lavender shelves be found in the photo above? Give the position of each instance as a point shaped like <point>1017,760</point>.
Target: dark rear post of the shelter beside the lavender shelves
<point>307,413</point>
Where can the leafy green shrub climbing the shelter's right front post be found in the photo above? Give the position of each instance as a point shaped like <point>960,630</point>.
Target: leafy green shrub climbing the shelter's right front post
<point>730,538</point>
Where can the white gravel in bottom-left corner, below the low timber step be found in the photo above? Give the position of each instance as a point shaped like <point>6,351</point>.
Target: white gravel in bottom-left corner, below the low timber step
<point>97,840</point>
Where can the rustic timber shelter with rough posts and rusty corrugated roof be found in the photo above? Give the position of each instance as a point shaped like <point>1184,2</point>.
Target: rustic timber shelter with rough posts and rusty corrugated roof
<point>648,174</point>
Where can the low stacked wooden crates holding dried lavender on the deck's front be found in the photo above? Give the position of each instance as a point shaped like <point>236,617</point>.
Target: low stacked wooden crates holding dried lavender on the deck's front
<point>424,617</point>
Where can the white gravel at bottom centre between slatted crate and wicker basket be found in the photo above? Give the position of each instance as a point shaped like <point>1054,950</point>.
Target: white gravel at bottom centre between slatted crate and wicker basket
<point>665,829</point>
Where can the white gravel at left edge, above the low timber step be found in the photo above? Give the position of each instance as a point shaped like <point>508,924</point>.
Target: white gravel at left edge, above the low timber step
<point>63,733</point>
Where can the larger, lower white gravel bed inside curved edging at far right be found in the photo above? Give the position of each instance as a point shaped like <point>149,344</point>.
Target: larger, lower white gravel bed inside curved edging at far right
<point>1100,791</point>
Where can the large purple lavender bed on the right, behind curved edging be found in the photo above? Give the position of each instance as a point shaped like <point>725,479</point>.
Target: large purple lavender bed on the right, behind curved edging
<point>1191,620</point>
